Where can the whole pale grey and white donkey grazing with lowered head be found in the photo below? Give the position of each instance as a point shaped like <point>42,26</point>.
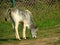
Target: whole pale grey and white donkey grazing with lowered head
<point>24,16</point>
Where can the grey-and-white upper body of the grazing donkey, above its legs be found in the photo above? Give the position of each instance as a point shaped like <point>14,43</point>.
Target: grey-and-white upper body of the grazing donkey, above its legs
<point>20,15</point>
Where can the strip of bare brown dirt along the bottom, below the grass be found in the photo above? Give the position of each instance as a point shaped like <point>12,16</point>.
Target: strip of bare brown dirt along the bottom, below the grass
<point>41,41</point>
